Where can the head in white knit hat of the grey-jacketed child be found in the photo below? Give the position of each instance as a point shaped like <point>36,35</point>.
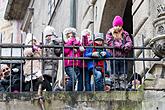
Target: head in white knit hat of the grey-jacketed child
<point>49,33</point>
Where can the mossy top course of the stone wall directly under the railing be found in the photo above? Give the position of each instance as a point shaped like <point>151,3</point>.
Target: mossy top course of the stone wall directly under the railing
<point>77,96</point>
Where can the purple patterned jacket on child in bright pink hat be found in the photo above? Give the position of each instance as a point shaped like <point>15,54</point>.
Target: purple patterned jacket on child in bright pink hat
<point>122,47</point>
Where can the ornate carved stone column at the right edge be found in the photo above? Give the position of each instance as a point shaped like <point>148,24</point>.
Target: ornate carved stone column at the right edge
<point>155,77</point>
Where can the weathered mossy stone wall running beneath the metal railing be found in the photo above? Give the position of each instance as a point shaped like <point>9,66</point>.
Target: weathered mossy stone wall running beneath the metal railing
<point>114,100</point>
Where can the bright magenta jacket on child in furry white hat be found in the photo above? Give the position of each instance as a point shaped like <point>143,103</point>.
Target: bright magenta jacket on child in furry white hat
<point>68,52</point>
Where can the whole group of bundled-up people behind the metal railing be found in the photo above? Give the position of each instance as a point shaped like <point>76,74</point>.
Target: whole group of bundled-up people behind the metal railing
<point>87,74</point>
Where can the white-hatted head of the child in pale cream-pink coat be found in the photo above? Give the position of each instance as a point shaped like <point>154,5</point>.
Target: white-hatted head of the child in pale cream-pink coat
<point>30,39</point>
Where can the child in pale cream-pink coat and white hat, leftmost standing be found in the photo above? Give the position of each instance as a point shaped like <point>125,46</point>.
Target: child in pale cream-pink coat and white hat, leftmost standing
<point>32,68</point>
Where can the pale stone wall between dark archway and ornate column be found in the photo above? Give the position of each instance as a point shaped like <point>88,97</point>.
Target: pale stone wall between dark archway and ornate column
<point>144,13</point>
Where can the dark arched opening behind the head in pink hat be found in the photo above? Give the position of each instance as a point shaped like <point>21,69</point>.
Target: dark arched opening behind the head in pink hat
<point>113,8</point>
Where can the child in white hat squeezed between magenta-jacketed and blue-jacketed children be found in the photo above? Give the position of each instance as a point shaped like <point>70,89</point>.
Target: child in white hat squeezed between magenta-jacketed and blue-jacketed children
<point>86,40</point>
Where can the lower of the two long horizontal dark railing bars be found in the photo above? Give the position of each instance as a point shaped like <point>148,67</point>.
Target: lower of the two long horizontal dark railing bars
<point>78,58</point>
